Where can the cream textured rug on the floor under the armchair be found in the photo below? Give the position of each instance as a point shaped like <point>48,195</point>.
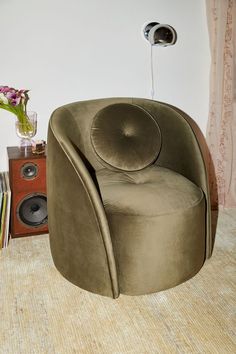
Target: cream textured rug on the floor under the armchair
<point>41,312</point>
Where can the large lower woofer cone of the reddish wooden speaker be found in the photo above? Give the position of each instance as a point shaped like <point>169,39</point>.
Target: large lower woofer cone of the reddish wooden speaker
<point>32,210</point>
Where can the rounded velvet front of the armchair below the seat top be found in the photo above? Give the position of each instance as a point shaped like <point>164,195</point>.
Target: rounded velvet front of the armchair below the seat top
<point>157,253</point>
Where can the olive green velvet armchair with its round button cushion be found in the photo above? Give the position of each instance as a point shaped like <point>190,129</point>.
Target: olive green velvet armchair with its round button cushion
<point>128,198</point>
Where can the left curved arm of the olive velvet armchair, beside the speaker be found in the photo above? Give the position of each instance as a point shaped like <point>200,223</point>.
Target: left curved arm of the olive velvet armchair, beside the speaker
<point>76,213</point>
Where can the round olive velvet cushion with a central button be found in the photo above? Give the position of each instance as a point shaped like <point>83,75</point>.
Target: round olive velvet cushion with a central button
<point>125,137</point>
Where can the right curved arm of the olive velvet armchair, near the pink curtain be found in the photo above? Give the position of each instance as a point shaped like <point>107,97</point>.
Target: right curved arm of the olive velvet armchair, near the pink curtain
<point>184,150</point>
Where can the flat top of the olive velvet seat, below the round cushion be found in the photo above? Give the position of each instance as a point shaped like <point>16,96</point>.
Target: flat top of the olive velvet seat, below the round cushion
<point>152,191</point>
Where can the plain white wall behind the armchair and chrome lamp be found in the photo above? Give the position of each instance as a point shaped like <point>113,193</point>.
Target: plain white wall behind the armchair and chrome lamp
<point>65,51</point>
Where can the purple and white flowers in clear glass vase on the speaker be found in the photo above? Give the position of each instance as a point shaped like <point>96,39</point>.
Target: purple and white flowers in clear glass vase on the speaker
<point>15,101</point>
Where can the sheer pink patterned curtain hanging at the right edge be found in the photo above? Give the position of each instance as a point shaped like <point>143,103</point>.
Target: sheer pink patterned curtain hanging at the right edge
<point>221,130</point>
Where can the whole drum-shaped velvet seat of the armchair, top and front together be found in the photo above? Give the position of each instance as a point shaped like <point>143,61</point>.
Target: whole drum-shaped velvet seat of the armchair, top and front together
<point>175,207</point>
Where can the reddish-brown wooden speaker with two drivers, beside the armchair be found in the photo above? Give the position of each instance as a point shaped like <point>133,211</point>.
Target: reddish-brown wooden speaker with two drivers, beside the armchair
<point>27,174</point>
